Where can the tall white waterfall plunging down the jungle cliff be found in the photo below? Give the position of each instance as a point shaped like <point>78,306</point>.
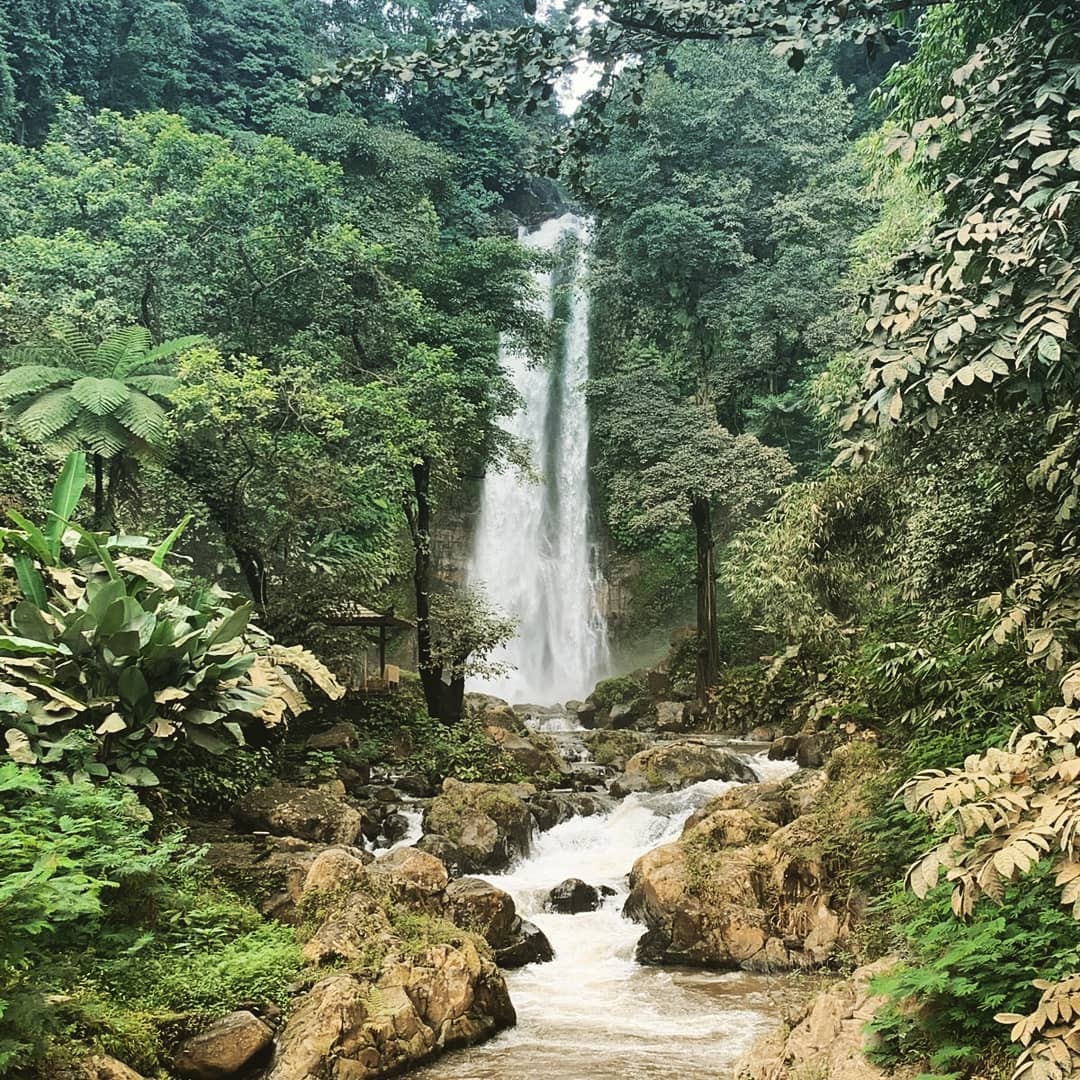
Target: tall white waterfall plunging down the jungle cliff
<point>533,550</point>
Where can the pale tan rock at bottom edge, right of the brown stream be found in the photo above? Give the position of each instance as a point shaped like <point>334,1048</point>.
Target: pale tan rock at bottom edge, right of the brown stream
<point>830,1039</point>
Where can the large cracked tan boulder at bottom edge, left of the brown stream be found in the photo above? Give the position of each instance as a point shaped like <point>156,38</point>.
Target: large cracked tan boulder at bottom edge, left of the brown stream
<point>348,1028</point>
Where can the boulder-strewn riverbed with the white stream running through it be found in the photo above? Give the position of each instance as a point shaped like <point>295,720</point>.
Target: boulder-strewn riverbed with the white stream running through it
<point>634,922</point>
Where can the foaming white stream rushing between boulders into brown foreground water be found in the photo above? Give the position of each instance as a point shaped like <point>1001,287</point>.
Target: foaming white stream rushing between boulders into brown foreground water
<point>593,1014</point>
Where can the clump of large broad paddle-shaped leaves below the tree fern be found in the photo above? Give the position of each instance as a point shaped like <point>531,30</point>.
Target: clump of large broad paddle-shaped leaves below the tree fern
<point>110,659</point>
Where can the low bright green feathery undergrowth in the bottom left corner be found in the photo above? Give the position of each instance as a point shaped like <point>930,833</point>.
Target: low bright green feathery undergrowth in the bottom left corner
<point>111,939</point>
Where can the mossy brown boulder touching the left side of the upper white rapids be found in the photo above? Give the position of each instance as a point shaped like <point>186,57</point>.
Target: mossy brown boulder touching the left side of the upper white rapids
<point>490,825</point>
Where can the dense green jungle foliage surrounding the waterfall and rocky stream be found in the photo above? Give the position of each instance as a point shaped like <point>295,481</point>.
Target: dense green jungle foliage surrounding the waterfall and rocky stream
<point>256,261</point>
